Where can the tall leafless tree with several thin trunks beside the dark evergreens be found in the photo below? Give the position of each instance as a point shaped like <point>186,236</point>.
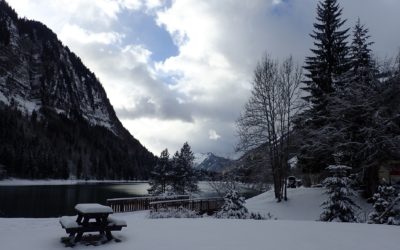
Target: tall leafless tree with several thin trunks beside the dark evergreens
<point>267,116</point>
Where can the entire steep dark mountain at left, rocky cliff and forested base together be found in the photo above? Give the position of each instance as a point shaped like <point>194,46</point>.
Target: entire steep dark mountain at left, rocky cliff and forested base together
<point>57,121</point>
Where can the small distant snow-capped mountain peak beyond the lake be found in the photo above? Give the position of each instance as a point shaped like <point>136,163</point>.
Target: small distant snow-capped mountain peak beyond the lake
<point>210,162</point>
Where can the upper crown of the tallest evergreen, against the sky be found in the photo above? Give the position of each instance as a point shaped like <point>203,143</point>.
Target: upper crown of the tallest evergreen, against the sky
<point>330,60</point>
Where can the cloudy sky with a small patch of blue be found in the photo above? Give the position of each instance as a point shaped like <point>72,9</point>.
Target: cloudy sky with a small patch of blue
<point>181,70</point>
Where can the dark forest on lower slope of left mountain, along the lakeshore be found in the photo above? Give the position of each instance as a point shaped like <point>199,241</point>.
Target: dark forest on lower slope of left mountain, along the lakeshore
<point>51,145</point>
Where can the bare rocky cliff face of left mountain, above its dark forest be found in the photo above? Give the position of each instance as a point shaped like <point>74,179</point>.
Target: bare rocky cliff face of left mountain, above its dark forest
<point>36,70</point>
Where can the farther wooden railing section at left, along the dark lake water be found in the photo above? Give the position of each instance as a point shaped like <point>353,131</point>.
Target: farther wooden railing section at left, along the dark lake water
<point>120,205</point>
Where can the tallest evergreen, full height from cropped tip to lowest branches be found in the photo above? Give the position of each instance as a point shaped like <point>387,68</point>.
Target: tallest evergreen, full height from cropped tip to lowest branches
<point>326,70</point>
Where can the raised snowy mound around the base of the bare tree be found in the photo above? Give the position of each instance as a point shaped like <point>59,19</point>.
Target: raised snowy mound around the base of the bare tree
<point>302,204</point>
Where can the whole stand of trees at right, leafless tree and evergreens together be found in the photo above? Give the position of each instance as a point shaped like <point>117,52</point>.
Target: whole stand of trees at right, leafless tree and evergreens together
<point>349,105</point>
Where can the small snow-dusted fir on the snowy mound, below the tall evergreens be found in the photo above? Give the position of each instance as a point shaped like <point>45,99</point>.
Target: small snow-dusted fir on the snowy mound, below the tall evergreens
<point>339,206</point>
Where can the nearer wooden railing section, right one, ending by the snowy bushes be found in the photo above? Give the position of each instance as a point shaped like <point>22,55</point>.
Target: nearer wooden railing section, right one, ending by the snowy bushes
<point>205,205</point>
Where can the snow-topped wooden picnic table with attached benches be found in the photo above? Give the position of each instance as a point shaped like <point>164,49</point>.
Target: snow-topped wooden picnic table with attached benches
<point>92,217</point>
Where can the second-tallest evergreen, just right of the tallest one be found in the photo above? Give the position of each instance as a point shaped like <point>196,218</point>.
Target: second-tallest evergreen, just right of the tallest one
<point>352,106</point>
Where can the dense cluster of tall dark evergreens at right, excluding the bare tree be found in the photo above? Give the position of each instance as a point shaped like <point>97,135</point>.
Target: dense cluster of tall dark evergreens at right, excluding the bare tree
<point>353,102</point>
